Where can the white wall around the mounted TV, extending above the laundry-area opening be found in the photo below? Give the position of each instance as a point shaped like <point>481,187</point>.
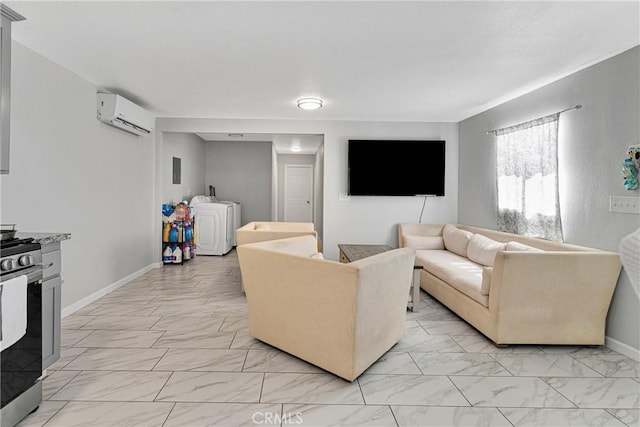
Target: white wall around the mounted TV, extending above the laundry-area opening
<point>363,219</point>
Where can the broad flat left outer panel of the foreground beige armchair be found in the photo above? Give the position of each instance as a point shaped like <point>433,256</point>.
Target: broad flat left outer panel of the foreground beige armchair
<point>302,305</point>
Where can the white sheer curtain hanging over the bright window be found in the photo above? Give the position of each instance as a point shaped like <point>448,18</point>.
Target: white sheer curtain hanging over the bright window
<point>527,178</point>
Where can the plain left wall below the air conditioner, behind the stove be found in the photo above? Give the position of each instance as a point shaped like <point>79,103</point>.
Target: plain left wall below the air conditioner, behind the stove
<point>72,173</point>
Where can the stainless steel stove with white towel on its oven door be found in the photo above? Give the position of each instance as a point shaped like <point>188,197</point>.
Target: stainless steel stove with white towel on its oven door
<point>21,361</point>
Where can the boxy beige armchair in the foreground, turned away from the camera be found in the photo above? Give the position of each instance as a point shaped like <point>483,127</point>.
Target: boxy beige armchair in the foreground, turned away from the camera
<point>340,317</point>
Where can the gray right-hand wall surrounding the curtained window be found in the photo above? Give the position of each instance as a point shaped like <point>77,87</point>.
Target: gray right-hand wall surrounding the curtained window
<point>593,142</point>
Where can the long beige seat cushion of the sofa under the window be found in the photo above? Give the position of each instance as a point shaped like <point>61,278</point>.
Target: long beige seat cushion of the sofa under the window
<point>457,271</point>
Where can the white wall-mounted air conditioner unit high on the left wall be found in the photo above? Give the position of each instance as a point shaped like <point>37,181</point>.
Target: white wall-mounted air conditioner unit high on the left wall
<point>120,112</point>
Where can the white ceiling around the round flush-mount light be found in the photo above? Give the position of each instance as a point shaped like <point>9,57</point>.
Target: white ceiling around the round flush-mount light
<point>369,60</point>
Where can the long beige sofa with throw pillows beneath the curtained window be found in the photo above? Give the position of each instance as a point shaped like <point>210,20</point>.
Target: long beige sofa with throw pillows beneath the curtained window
<point>516,289</point>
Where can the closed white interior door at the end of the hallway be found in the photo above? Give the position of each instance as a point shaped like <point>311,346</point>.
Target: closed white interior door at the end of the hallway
<point>298,193</point>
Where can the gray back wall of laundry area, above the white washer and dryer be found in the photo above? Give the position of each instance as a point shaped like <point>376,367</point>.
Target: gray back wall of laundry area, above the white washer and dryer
<point>241,172</point>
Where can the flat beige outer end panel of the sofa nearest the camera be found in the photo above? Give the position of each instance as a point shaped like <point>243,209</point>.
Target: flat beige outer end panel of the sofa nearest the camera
<point>554,290</point>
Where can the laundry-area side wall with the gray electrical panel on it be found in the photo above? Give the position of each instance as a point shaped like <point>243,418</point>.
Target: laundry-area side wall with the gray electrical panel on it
<point>190,149</point>
